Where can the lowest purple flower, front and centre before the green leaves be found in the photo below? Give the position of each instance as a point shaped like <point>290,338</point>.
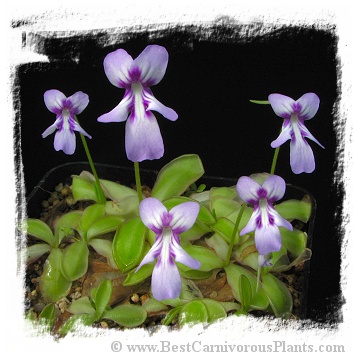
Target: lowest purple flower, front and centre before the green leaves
<point>167,225</point>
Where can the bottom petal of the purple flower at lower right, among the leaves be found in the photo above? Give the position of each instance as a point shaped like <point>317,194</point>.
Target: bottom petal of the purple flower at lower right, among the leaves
<point>267,239</point>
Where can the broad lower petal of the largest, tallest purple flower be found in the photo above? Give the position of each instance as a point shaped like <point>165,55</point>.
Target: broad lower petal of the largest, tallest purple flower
<point>143,138</point>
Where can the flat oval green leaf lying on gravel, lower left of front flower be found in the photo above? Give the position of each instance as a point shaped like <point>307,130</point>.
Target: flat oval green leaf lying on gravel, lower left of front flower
<point>126,315</point>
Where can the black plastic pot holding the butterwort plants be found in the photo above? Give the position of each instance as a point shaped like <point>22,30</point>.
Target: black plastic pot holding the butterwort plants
<point>124,175</point>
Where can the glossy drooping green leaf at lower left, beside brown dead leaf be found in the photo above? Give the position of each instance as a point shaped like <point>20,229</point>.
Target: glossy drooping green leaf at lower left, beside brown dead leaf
<point>53,284</point>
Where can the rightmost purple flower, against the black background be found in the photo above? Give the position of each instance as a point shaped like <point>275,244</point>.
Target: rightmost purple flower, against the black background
<point>294,114</point>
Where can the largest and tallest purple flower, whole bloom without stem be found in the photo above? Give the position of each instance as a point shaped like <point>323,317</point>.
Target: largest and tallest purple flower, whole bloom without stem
<point>143,137</point>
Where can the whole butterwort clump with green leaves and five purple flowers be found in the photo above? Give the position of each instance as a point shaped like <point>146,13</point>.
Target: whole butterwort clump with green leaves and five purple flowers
<point>183,253</point>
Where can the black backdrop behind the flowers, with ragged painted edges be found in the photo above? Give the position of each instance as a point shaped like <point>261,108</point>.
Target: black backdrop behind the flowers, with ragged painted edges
<point>211,76</point>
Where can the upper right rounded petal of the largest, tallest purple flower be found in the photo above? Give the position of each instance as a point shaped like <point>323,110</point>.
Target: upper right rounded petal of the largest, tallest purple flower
<point>150,65</point>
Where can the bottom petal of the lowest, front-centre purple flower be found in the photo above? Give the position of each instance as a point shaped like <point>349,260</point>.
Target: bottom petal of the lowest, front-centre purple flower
<point>166,281</point>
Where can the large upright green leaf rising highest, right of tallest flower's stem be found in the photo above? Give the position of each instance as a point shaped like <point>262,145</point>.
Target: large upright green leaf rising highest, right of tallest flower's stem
<point>175,177</point>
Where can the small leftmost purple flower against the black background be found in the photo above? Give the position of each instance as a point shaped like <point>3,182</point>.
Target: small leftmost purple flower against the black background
<point>65,109</point>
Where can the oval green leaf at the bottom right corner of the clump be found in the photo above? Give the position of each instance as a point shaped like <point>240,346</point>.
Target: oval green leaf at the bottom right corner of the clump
<point>279,296</point>
